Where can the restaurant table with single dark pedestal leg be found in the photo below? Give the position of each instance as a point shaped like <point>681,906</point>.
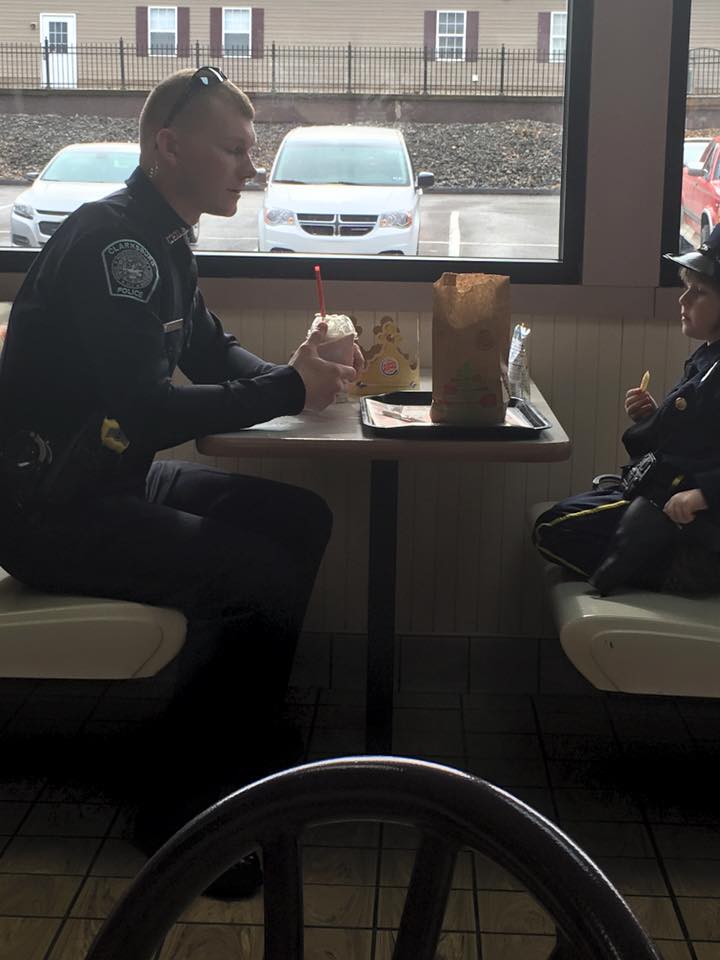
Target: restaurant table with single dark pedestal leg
<point>337,432</point>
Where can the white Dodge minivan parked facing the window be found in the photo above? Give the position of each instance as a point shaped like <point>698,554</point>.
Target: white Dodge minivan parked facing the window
<point>342,189</point>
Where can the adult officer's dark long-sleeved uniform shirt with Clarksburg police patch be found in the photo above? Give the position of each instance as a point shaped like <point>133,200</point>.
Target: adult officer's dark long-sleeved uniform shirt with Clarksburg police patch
<point>108,310</point>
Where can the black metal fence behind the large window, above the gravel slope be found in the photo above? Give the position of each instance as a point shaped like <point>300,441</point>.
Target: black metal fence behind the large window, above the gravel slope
<point>497,71</point>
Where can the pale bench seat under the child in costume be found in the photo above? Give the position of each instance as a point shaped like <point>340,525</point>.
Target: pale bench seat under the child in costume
<point>636,641</point>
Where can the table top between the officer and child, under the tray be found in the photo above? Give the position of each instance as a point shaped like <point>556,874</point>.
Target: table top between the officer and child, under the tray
<point>337,431</point>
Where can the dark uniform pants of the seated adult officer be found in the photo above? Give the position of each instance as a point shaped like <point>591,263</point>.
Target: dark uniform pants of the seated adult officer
<point>238,555</point>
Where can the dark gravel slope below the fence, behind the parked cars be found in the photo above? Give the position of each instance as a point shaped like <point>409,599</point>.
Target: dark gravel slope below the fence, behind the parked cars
<point>500,155</point>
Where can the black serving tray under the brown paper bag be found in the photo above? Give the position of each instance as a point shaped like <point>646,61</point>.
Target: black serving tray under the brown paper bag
<point>423,398</point>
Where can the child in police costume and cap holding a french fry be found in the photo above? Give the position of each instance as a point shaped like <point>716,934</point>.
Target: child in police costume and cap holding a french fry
<point>658,526</point>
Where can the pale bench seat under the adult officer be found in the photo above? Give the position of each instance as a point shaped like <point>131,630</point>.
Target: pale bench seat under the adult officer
<point>53,635</point>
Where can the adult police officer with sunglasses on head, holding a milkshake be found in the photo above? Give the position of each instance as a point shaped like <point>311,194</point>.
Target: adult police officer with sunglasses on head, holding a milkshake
<point>108,310</point>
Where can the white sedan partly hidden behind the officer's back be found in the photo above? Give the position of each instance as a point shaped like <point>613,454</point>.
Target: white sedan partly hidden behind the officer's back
<point>75,175</point>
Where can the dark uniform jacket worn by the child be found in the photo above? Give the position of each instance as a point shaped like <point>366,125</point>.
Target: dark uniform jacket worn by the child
<point>684,432</point>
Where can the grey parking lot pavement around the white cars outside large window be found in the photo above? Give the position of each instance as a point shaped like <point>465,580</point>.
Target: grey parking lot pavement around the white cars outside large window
<point>505,226</point>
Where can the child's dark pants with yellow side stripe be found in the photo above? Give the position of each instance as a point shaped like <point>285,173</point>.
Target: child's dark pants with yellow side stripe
<point>577,532</point>
